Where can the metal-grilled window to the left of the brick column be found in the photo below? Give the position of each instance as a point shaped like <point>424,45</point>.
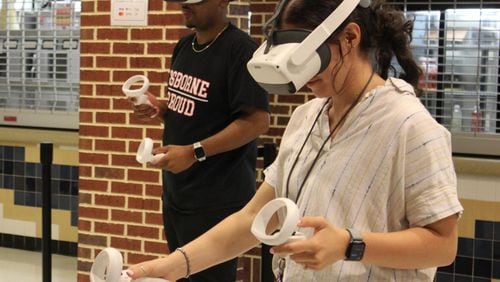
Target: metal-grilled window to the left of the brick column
<point>39,63</point>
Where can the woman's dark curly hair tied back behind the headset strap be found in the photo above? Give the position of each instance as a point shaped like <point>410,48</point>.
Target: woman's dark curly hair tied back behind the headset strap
<point>384,31</point>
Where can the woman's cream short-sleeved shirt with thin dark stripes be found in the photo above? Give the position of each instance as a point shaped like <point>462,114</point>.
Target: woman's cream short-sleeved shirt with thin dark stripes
<point>388,168</point>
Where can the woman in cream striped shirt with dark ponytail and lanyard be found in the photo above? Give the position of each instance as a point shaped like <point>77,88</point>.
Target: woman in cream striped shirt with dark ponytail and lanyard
<point>369,168</point>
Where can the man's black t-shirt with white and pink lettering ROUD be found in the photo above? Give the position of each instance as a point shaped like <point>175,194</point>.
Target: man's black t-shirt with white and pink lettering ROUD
<point>207,91</point>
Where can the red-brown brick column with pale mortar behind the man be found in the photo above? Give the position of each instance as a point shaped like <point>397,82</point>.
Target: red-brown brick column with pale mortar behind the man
<point>120,199</point>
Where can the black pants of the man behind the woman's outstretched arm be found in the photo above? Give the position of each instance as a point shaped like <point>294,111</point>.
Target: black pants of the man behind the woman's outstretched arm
<point>181,228</point>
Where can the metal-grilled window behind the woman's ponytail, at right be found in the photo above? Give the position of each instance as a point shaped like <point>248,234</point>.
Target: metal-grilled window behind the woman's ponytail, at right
<point>456,43</point>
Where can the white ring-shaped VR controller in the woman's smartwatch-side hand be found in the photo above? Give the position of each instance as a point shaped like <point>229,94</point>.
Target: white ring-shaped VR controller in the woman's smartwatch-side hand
<point>287,232</point>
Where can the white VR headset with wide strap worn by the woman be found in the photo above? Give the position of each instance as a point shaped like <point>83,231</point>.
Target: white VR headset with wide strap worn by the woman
<point>288,59</point>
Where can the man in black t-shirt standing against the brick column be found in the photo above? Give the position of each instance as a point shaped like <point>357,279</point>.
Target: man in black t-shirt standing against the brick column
<point>213,113</point>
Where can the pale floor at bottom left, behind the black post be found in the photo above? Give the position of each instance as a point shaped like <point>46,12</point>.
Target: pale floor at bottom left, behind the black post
<point>26,266</point>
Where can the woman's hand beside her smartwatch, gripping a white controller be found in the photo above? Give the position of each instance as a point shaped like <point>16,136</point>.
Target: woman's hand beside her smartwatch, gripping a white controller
<point>325,247</point>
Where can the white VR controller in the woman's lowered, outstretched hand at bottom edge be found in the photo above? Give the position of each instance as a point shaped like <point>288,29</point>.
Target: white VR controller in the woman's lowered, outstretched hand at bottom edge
<point>108,267</point>
